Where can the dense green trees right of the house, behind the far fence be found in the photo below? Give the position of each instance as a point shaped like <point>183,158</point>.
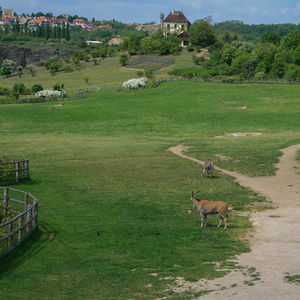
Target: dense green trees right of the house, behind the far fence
<point>273,57</point>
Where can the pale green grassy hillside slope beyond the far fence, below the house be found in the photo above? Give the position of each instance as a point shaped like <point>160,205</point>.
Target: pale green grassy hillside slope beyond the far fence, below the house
<point>108,72</point>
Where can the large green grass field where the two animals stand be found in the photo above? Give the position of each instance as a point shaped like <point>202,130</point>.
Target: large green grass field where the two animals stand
<point>115,220</point>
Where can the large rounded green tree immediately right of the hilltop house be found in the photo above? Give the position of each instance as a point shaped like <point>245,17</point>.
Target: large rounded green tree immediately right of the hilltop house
<point>202,33</point>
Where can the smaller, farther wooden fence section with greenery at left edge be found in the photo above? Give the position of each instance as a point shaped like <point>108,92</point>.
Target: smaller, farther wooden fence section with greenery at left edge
<point>14,169</point>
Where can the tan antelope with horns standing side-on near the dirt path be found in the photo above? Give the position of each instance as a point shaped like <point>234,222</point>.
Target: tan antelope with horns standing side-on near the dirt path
<point>207,207</point>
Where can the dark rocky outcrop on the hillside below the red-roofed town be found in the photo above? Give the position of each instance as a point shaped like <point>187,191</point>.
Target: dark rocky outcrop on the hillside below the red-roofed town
<point>24,56</point>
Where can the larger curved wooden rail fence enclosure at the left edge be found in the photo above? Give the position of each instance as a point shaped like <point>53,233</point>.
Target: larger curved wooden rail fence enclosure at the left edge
<point>21,222</point>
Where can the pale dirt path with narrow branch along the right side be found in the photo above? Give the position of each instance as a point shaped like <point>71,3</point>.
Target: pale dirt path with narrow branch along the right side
<point>275,244</point>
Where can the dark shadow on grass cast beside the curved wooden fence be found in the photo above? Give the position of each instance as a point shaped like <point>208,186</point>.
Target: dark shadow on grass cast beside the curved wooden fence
<point>35,243</point>
